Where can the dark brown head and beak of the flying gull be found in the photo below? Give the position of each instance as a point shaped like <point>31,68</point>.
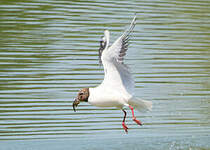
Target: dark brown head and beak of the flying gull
<point>81,97</point>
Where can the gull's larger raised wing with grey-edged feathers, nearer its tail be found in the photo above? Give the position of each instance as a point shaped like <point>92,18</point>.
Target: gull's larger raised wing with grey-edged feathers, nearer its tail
<point>116,73</point>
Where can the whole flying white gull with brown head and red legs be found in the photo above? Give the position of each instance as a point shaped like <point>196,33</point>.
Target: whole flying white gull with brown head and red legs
<point>117,88</point>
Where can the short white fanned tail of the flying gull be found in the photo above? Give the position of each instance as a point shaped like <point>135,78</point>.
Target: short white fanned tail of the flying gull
<point>140,105</point>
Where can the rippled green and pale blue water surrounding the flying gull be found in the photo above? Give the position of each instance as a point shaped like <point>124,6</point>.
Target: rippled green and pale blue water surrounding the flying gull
<point>49,51</point>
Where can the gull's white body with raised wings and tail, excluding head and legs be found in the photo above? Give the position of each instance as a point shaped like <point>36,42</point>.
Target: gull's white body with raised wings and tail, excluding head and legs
<point>117,88</point>
